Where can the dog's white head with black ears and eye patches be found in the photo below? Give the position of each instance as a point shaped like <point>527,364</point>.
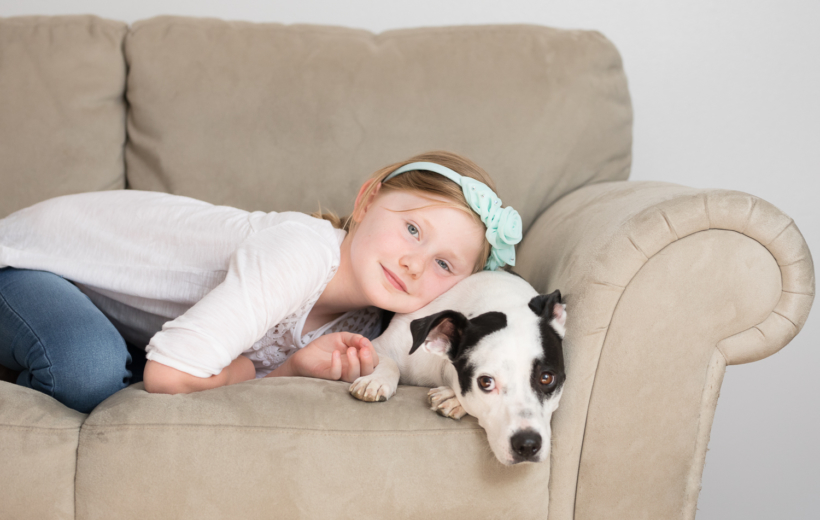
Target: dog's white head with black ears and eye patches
<point>510,368</point>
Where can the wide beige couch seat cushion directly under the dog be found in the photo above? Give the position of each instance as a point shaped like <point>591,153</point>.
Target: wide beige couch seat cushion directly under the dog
<point>293,448</point>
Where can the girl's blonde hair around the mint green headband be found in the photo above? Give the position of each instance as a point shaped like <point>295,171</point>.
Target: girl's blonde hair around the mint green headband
<point>425,182</point>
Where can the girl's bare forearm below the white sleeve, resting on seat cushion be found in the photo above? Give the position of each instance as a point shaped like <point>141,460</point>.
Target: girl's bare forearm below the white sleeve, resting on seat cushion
<point>162,379</point>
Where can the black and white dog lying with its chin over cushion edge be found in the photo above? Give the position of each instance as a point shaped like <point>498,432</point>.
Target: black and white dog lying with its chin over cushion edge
<point>491,347</point>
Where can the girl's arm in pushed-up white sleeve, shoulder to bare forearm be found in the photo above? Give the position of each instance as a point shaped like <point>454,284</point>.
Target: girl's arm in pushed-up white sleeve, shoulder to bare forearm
<point>269,276</point>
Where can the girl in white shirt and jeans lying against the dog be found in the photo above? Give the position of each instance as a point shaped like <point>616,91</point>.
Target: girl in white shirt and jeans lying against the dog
<point>247,294</point>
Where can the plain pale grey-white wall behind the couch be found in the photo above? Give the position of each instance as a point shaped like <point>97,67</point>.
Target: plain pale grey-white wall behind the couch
<point>726,95</point>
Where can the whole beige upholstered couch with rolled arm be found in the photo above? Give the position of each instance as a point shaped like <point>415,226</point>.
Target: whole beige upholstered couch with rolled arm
<point>665,285</point>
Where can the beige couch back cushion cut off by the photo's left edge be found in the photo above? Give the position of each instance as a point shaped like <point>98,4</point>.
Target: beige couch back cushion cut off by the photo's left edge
<point>62,107</point>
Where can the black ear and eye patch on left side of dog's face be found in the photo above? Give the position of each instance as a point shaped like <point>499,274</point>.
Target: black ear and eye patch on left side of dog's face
<point>464,335</point>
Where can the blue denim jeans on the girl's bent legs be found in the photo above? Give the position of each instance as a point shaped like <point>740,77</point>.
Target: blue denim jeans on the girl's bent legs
<point>61,344</point>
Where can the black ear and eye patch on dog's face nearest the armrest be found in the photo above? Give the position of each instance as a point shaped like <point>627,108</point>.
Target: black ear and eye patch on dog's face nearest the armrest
<point>552,361</point>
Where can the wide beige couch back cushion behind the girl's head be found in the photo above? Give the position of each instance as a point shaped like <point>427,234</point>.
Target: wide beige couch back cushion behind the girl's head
<point>273,117</point>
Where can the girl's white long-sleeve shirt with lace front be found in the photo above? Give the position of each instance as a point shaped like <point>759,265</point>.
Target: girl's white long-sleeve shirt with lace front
<point>218,281</point>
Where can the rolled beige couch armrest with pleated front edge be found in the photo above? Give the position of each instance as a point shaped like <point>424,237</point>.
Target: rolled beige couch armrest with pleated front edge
<point>665,285</point>
